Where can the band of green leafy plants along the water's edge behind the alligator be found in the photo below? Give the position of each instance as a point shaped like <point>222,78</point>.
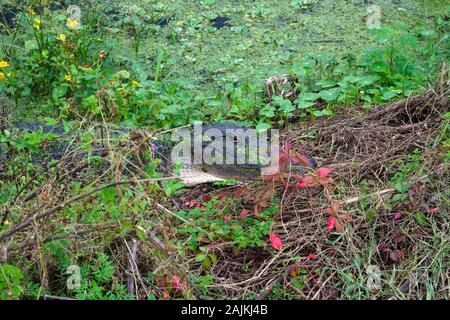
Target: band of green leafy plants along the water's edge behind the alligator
<point>78,74</point>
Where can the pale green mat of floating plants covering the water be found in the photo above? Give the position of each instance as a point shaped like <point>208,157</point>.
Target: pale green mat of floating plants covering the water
<point>264,38</point>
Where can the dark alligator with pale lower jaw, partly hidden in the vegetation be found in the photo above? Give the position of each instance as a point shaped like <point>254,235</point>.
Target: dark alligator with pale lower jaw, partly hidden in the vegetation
<point>191,173</point>
